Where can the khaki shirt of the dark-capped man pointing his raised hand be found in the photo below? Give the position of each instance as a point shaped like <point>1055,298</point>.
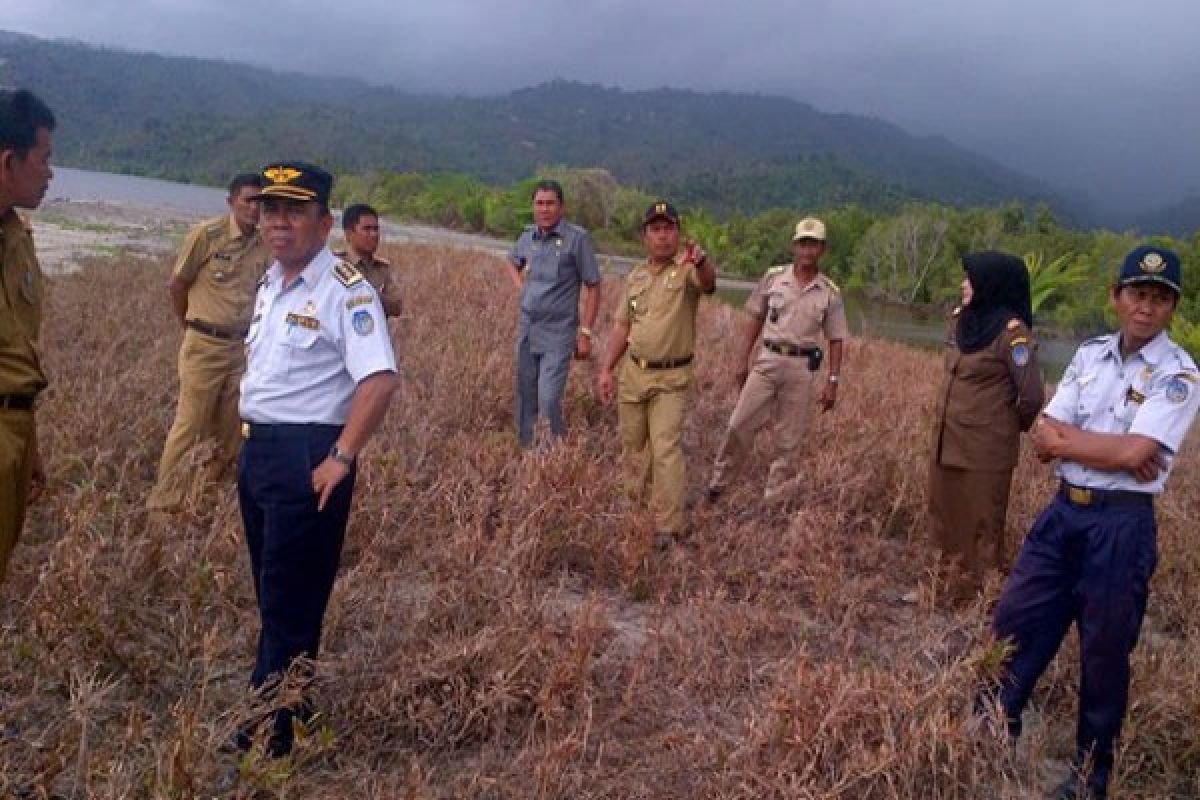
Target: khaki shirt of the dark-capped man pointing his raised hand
<point>659,306</point>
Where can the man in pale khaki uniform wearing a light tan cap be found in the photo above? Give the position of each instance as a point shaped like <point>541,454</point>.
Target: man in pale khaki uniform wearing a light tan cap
<point>791,308</point>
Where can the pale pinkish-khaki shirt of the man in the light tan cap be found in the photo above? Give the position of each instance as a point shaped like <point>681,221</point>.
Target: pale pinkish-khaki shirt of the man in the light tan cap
<point>797,315</point>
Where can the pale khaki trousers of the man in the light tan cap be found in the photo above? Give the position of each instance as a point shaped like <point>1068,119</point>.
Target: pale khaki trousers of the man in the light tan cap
<point>779,390</point>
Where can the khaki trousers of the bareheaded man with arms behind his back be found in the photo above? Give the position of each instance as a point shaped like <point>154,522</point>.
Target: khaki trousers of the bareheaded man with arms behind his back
<point>209,375</point>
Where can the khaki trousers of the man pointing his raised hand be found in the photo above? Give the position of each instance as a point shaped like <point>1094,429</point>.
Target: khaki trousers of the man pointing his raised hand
<point>651,407</point>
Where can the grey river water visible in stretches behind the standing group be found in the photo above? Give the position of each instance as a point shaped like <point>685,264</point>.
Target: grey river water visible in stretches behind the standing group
<point>886,321</point>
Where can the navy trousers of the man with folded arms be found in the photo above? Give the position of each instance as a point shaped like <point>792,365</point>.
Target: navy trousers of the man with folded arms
<point>1090,567</point>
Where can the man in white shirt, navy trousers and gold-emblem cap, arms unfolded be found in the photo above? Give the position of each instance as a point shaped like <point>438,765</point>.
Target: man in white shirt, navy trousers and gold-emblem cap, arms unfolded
<point>320,376</point>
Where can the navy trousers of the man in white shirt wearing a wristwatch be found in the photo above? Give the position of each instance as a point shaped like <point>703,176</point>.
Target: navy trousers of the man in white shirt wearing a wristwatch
<point>295,550</point>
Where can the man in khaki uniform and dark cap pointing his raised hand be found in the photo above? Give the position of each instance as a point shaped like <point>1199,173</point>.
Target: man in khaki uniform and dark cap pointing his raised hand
<point>657,326</point>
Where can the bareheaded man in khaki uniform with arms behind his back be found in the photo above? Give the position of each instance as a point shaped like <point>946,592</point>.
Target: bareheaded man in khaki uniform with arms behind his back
<point>212,292</point>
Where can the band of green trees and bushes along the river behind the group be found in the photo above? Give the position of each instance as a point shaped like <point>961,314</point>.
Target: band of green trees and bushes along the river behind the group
<point>909,256</point>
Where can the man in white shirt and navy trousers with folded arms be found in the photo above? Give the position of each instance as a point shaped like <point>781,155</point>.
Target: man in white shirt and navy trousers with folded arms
<point>1121,413</point>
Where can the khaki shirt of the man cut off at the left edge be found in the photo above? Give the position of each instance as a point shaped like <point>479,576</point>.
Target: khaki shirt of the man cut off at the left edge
<point>21,310</point>
